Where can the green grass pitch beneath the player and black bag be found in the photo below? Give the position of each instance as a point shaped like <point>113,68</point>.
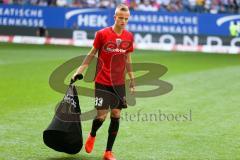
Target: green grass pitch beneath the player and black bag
<point>206,84</point>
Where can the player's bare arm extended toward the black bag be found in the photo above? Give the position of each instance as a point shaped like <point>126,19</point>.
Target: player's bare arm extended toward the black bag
<point>86,62</point>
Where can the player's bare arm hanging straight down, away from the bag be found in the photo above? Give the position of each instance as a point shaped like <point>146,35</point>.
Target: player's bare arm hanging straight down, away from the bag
<point>130,73</point>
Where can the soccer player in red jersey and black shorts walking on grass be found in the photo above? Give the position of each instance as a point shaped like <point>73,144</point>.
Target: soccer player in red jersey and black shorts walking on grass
<point>113,45</point>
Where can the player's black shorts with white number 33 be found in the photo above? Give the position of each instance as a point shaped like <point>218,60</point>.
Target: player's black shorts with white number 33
<point>110,97</point>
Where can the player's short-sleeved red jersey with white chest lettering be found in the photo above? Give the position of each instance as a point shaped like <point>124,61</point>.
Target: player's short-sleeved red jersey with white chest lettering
<point>112,55</point>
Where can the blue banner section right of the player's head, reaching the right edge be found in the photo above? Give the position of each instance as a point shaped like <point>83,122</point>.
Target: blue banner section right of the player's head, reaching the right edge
<point>185,23</point>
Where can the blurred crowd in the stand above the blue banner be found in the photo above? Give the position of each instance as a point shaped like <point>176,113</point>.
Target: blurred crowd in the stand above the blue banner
<point>199,6</point>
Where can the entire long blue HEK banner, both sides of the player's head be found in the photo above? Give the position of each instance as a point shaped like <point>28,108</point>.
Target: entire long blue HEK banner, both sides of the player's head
<point>95,19</point>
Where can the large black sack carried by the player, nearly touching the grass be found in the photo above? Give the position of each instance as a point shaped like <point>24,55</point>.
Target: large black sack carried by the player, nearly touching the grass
<point>64,133</point>
